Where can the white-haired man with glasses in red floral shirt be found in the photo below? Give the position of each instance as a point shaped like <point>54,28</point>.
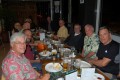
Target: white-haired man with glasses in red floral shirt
<point>16,66</point>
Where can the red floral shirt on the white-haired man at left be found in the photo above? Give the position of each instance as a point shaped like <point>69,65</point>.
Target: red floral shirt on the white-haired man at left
<point>16,67</point>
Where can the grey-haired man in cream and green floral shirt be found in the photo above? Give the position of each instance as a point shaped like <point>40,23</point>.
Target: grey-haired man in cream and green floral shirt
<point>91,43</point>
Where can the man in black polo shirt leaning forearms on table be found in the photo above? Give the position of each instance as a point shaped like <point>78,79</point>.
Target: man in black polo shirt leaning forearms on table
<point>108,49</point>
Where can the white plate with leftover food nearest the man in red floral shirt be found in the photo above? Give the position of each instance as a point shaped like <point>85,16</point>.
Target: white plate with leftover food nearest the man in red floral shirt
<point>53,67</point>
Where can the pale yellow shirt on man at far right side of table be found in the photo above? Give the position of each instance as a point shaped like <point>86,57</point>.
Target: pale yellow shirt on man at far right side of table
<point>62,32</point>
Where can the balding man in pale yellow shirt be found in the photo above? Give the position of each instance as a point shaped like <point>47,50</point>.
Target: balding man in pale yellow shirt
<point>62,32</point>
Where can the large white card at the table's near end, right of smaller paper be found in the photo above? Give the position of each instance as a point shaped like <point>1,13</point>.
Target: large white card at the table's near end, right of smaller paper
<point>87,73</point>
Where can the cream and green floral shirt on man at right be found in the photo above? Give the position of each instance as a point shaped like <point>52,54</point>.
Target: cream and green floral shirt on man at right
<point>91,44</point>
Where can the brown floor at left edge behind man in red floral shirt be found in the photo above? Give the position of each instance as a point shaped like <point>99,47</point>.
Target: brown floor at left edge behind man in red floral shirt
<point>3,52</point>
